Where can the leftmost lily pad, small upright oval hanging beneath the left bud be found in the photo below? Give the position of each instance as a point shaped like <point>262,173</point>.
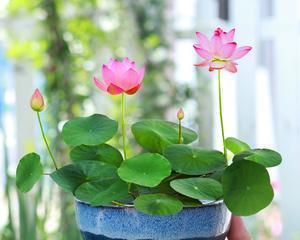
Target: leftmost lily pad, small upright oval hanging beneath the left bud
<point>29,171</point>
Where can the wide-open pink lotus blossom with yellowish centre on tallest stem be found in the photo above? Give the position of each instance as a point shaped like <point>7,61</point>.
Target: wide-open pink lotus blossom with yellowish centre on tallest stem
<point>220,51</point>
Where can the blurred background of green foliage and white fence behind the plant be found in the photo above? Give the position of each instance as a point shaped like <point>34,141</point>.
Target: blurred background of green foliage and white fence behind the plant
<point>58,45</point>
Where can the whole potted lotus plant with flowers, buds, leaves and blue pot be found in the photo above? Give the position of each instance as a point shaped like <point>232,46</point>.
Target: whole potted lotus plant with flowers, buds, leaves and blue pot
<point>172,189</point>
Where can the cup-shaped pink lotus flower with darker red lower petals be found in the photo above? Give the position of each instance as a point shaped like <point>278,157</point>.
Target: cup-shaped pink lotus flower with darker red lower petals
<point>120,77</point>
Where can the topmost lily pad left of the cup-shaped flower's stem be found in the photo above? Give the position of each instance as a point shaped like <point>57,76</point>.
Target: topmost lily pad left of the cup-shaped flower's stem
<point>93,130</point>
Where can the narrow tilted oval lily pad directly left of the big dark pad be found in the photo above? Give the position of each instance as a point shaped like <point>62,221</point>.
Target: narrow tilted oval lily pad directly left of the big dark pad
<point>198,188</point>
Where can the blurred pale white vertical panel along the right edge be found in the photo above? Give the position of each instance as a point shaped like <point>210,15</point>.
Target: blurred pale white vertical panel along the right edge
<point>286,33</point>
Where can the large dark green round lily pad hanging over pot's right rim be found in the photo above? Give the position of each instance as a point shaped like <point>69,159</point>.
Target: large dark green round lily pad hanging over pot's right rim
<point>247,188</point>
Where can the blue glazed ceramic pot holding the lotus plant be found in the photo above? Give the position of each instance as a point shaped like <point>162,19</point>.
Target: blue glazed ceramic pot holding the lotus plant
<point>206,222</point>
